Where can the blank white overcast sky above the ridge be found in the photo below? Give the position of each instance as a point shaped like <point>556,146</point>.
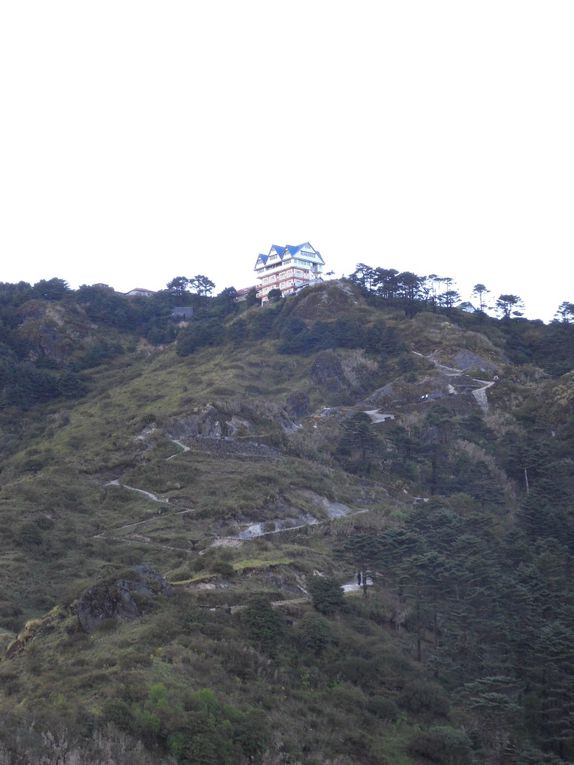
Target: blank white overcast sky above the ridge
<point>144,140</point>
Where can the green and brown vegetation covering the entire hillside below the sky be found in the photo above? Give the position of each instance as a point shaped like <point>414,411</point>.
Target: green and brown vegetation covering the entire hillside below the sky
<point>459,649</point>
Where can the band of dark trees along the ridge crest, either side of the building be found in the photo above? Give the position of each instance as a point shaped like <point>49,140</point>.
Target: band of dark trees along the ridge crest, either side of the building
<point>36,367</point>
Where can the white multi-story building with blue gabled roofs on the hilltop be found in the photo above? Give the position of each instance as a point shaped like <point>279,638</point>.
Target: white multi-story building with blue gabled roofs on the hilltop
<point>288,269</point>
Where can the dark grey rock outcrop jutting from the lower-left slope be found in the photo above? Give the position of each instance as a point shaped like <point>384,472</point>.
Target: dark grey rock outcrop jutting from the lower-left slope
<point>121,599</point>
